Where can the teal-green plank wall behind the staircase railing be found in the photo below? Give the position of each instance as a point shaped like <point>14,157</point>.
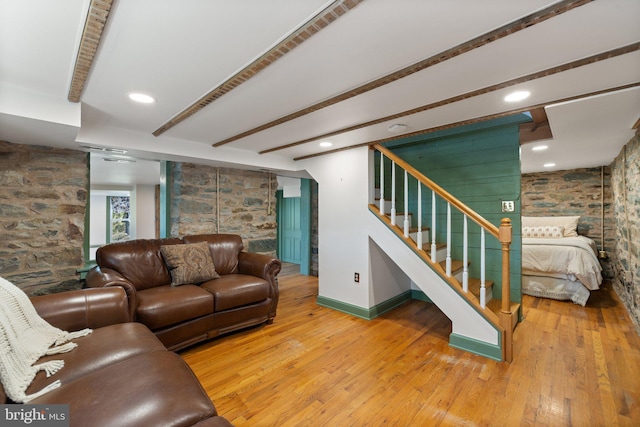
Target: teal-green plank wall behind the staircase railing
<point>478,164</point>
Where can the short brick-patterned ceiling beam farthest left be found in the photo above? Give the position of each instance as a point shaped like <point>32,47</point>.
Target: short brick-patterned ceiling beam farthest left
<point>91,35</point>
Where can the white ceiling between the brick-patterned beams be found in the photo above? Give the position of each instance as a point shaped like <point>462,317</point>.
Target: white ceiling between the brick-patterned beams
<point>179,51</point>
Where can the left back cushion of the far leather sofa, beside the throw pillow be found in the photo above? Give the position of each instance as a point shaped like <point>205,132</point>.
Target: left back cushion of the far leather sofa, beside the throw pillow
<point>140,261</point>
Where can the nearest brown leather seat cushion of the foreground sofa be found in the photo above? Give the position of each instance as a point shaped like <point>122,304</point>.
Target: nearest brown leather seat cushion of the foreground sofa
<point>168,394</point>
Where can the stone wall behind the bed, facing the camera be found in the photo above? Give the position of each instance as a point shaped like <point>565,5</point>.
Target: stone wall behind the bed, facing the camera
<point>575,192</point>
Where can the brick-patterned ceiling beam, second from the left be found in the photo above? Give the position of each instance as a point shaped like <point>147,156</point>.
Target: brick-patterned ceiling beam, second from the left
<point>308,29</point>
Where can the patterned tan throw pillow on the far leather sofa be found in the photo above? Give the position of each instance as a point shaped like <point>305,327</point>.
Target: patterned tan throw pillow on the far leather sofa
<point>190,263</point>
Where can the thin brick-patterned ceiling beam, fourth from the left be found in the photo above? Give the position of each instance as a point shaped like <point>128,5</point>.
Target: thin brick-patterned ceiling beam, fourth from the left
<point>537,75</point>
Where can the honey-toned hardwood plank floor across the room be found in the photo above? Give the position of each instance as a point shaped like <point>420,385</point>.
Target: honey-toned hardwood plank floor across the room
<point>573,366</point>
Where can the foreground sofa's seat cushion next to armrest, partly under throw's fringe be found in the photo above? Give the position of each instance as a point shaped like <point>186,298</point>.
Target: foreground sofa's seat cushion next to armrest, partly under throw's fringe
<point>103,347</point>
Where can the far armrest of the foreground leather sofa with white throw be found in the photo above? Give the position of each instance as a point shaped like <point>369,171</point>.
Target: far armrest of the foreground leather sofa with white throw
<point>83,308</point>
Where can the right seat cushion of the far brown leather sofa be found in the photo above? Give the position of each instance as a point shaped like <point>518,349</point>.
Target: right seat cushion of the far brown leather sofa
<point>236,290</point>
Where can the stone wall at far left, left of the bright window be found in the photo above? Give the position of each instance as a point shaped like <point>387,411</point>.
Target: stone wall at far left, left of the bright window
<point>43,197</point>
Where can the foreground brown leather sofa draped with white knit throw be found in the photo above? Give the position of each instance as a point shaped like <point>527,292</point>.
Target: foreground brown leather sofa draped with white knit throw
<point>120,374</point>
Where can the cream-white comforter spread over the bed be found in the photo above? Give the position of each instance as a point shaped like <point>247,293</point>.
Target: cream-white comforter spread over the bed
<point>566,258</point>
